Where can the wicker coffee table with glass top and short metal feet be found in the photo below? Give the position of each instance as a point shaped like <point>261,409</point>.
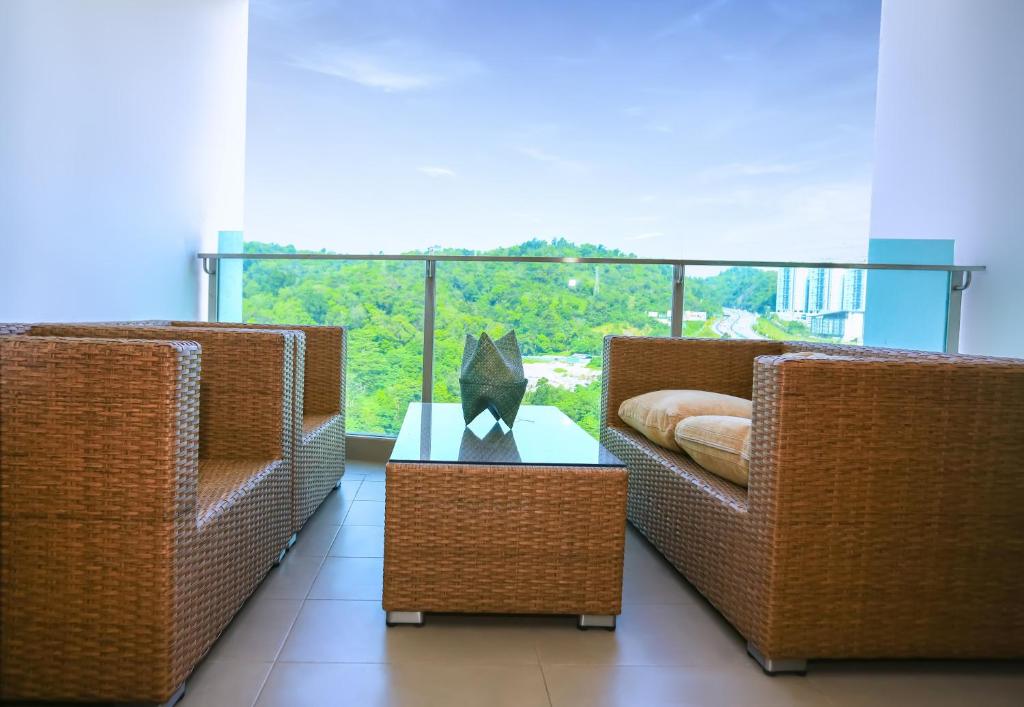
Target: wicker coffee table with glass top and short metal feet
<point>484,520</point>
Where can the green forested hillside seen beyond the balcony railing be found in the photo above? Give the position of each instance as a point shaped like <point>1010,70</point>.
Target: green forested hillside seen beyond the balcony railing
<point>556,309</point>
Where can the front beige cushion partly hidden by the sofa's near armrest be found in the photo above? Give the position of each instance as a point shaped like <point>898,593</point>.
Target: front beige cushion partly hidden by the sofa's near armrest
<point>719,444</point>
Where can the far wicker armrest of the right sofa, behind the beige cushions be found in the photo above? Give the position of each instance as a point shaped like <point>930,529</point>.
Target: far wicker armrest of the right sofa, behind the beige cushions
<point>634,365</point>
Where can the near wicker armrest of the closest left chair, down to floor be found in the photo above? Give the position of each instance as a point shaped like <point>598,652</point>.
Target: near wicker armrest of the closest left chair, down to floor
<point>99,476</point>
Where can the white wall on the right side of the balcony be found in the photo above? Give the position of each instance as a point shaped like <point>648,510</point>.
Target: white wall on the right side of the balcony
<point>950,149</point>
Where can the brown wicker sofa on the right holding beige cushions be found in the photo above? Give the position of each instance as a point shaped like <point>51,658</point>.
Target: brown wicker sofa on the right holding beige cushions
<point>885,512</point>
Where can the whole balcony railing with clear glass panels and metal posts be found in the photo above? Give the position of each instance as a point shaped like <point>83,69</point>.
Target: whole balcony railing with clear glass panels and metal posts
<point>408,315</point>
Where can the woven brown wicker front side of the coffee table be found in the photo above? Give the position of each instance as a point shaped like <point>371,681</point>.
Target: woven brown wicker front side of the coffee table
<point>504,539</point>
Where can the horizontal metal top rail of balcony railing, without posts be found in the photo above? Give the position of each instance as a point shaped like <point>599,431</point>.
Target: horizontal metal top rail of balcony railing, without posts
<point>440,258</point>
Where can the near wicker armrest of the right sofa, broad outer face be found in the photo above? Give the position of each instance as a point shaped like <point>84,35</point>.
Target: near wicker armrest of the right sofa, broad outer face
<point>886,491</point>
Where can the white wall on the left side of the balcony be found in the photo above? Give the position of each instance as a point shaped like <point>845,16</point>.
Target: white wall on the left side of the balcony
<point>122,147</point>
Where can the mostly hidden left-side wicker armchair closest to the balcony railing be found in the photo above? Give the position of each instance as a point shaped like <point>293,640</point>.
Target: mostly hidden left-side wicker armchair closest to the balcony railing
<point>319,462</point>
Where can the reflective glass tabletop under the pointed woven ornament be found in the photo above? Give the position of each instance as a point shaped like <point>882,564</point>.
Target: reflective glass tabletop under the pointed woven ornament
<point>542,436</point>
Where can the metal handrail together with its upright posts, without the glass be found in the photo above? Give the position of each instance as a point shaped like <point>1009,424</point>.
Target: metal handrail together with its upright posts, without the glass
<point>959,280</point>
